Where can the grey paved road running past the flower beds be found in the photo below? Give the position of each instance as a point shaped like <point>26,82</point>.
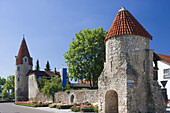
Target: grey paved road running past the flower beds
<point>12,108</point>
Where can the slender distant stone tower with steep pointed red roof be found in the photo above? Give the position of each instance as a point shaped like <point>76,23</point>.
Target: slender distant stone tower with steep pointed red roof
<point>22,67</point>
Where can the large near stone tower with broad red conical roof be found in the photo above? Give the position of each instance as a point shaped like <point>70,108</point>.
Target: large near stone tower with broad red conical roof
<point>126,84</point>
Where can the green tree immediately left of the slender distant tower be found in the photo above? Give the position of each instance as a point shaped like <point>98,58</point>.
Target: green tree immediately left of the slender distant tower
<point>9,87</point>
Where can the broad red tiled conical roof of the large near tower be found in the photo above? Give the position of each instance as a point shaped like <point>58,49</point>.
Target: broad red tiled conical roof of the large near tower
<point>125,23</point>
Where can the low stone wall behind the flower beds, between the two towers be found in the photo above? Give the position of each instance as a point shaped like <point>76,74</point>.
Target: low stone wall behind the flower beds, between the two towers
<point>79,96</point>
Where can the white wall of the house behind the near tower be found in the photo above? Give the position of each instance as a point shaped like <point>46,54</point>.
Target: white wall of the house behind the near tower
<point>162,66</point>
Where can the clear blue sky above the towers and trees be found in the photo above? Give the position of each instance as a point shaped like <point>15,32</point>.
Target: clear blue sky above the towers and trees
<point>50,25</point>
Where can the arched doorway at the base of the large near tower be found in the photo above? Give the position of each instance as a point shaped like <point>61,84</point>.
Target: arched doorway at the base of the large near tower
<point>111,102</point>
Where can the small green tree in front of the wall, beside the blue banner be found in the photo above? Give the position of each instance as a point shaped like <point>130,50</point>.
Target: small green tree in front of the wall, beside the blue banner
<point>52,86</point>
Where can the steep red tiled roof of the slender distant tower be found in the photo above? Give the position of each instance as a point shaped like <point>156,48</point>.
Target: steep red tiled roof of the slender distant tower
<point>23,51</point>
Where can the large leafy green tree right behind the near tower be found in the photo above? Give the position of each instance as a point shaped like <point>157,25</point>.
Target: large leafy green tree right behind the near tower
<point>86,55</point>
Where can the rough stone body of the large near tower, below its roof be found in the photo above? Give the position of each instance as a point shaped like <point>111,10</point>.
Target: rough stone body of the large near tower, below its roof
<point>124,63</point>
